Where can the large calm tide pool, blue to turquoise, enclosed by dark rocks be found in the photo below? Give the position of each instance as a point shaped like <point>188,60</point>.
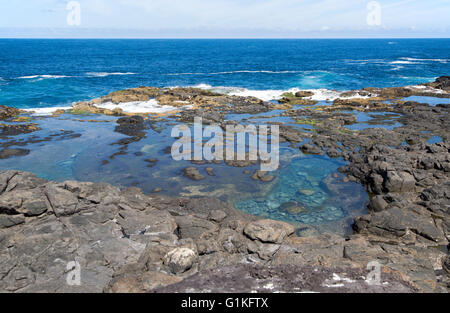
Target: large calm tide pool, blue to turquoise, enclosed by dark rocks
<point>306,189</point>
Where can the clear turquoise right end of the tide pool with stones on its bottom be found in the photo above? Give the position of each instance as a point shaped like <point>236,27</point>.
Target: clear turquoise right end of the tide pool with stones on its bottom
<point>309,191</point>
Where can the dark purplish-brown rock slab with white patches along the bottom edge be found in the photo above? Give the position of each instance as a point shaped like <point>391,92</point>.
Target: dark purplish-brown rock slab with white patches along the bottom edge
<point>288,278</point>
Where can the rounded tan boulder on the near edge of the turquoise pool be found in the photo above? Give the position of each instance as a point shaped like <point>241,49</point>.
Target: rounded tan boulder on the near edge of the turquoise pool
<point>269,231</point>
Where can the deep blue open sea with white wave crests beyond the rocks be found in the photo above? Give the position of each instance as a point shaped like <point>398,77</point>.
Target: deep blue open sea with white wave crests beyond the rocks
<point>46,73</point>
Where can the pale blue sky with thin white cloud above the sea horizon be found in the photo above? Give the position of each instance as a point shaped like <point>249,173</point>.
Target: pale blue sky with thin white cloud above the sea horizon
<point>224,18</point>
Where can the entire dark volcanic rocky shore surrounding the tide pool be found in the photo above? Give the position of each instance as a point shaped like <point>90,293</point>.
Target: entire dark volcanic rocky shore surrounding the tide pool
<point>126,241</point>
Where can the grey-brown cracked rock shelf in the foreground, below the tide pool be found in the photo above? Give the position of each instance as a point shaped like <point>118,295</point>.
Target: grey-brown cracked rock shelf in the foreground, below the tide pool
<point>126,241</point>
